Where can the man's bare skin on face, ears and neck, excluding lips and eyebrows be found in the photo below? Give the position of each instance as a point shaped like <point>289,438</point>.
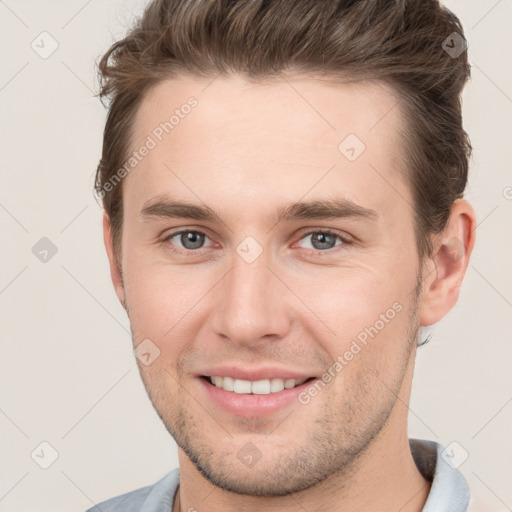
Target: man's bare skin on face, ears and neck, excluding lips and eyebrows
<point>244,151</point>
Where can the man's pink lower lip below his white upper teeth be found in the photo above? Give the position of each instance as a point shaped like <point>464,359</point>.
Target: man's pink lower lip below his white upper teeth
<point>253,406</point>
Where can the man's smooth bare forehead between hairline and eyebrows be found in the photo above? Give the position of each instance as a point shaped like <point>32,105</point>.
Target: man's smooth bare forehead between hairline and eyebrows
<point>274,140</point>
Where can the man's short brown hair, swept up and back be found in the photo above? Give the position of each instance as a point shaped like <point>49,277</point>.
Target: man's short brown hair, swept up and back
<point>400,42</point>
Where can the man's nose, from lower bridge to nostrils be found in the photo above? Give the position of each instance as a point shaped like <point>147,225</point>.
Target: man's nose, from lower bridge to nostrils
<point>251,304</point>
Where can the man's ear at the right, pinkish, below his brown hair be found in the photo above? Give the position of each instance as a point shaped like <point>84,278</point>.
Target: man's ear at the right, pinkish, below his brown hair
<point>445,270</point>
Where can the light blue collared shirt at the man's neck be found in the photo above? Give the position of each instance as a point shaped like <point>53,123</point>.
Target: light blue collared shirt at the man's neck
<point>449,491</point>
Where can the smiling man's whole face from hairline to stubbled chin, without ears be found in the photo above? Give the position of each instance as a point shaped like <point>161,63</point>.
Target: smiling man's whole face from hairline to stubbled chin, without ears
<point>226,275</point>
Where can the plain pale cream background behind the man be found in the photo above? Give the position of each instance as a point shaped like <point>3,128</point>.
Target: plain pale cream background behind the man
<point>67,374</point>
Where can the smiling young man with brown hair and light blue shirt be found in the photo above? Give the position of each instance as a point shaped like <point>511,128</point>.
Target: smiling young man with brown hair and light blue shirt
<point>282,184</point>
